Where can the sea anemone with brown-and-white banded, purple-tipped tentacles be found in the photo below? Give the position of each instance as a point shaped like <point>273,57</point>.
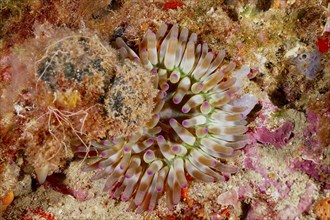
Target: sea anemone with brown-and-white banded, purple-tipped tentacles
<point>194,127</point>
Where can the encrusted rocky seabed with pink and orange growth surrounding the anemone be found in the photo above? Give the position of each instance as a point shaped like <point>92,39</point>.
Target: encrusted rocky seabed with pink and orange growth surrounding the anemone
<point>57,96</point>
